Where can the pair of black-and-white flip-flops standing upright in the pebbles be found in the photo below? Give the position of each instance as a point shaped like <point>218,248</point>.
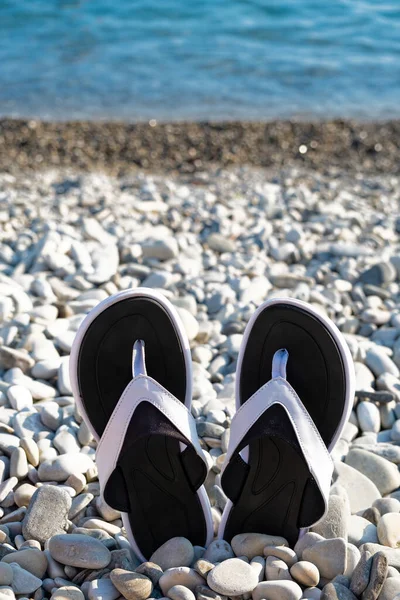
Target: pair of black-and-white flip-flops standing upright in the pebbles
<point>131,377</point>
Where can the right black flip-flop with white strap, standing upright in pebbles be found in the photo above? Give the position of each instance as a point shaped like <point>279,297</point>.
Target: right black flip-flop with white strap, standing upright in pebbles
<point>278,469</point>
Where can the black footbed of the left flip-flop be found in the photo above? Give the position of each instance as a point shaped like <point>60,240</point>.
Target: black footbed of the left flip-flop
<point>154,482</point>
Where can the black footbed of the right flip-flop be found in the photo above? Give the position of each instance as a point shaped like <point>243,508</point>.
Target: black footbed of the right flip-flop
<point>275,493</point>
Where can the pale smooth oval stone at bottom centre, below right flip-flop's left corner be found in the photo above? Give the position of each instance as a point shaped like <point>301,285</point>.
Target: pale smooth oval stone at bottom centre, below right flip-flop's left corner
<point>233,577</point>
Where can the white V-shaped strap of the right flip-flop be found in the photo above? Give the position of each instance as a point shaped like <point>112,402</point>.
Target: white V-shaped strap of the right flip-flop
<point>279,391</point>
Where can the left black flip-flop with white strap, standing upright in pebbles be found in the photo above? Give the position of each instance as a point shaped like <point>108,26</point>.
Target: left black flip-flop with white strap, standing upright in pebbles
<point>131,375</point>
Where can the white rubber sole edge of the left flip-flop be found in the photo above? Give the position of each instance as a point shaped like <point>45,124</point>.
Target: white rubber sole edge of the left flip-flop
<point>73,373</point>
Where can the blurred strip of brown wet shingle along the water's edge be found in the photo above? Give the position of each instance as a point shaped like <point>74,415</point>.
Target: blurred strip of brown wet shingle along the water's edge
<point>117,148</point>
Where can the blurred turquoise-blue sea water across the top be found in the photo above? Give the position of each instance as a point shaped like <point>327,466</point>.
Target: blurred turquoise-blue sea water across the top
<point>199,60</point>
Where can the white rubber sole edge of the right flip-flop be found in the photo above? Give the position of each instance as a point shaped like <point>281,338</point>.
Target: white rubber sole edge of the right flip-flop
<point>348,368</point>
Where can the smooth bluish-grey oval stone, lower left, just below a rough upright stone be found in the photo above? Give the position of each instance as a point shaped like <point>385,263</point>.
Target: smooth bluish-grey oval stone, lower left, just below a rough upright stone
<point>80,551</point>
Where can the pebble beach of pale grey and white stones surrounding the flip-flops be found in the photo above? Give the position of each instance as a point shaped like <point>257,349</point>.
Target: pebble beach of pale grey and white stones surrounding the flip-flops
<point>217,238</point>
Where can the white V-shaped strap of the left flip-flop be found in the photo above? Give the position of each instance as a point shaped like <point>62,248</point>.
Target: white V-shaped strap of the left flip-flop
<point>141,389</point>
